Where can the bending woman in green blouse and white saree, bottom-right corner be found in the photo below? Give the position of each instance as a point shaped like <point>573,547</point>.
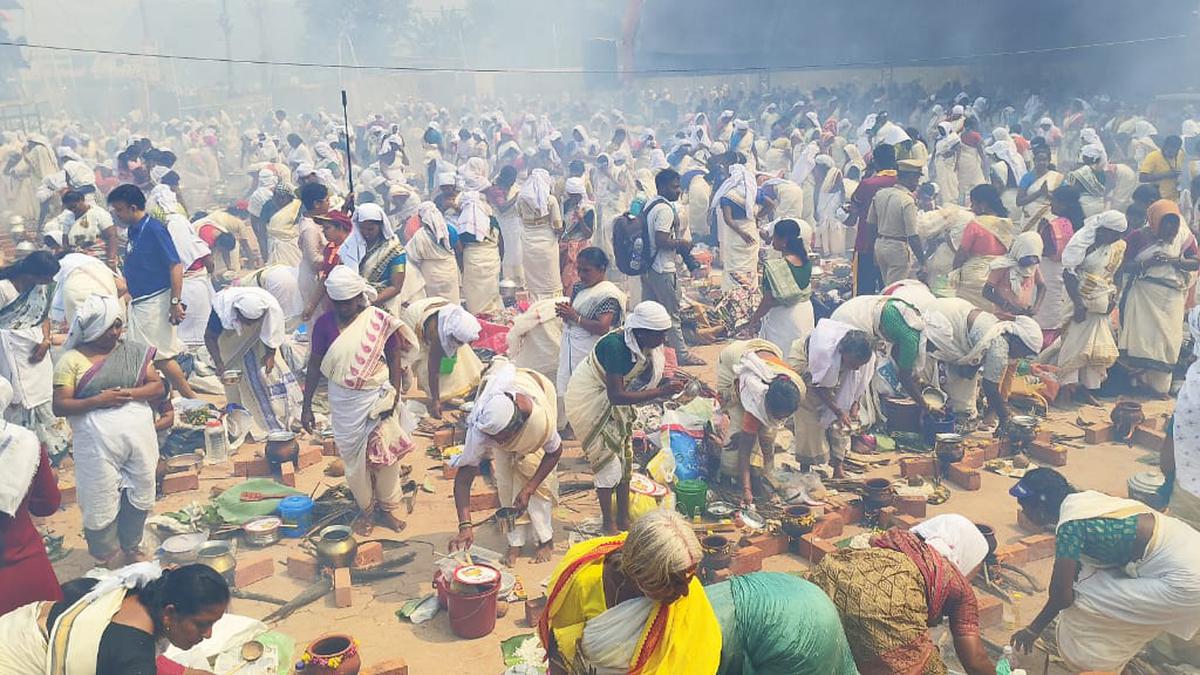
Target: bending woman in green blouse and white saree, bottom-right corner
<point>1124,575</point>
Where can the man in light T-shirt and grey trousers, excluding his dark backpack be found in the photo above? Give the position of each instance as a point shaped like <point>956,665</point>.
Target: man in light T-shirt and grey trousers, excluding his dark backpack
<point>661,283</point>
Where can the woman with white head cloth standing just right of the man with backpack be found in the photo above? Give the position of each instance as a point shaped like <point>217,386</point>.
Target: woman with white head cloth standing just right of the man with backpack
<point>734,211</point>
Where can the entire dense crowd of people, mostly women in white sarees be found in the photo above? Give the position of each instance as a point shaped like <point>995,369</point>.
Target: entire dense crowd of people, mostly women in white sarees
<point>976,235</point>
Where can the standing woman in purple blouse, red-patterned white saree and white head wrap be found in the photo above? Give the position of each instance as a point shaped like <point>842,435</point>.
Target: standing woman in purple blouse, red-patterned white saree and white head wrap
<point>363,350</point>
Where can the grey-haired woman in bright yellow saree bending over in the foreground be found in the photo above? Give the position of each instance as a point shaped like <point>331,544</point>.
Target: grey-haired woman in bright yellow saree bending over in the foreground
<point>632,604</point>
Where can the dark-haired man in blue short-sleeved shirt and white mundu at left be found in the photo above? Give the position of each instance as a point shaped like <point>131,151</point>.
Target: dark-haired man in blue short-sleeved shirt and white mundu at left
<point>154,274</point>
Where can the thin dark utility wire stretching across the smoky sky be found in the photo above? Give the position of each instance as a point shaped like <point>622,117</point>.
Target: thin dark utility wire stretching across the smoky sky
<point>883,63</point>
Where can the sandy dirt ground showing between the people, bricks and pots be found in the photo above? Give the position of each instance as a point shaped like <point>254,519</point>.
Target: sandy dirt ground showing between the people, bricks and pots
<point>431,648</point>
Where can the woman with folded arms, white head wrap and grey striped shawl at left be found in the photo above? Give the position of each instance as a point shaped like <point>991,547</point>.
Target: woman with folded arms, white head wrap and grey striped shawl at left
<point>104,387</point>
